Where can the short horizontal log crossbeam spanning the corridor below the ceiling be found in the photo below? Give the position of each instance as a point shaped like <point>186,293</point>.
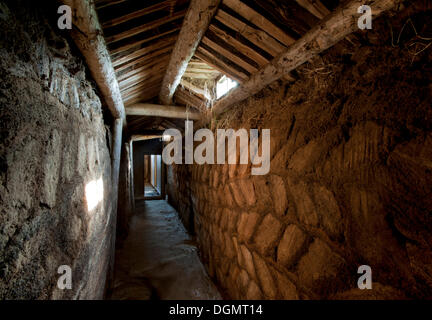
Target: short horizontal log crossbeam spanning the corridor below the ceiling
<point>155,110</point>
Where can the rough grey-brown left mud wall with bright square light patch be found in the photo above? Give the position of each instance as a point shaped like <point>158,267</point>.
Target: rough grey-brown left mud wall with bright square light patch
<point>55,161</point>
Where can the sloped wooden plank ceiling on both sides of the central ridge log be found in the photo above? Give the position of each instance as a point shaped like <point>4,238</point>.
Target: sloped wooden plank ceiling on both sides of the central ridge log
<point>244,36</point>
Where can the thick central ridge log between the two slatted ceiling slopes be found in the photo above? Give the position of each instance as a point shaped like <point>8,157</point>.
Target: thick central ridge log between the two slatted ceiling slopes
<point>195,24</point>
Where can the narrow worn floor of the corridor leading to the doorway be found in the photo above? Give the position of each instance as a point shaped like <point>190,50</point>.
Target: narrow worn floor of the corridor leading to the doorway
<point>158,259</point>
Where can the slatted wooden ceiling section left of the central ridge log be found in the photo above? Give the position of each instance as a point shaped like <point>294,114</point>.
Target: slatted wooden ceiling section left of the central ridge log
<point>140,36</point>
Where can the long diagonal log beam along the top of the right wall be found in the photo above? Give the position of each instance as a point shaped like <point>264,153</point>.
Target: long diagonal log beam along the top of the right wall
<point>327,33</point>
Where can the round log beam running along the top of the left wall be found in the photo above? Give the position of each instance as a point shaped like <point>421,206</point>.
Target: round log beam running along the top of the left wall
<point>87,34</point>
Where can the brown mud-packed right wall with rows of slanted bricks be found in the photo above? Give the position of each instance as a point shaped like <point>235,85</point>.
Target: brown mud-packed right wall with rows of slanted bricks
<point>349,183</point>
